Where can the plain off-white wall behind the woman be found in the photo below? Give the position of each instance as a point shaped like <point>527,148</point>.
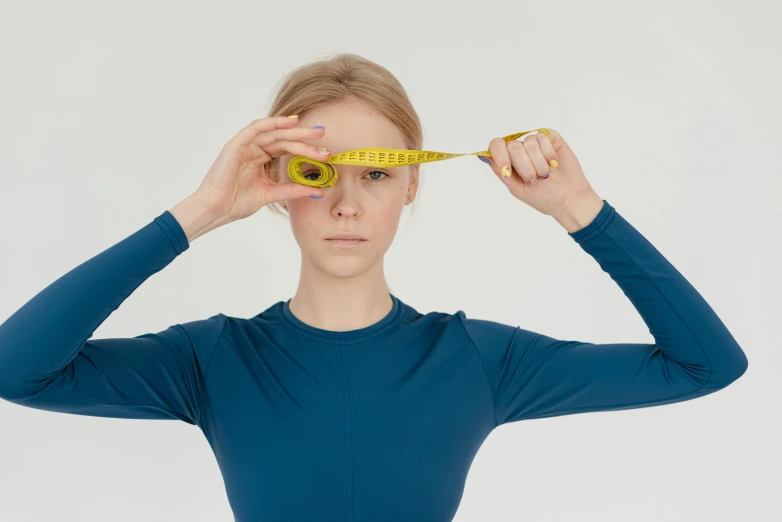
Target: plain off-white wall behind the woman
<point>112,112</point>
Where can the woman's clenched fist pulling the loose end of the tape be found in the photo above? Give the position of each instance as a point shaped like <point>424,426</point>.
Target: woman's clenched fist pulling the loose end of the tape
<point>528,162</point>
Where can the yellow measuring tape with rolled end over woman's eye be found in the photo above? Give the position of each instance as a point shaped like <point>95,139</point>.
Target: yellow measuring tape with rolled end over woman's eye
<point>374,157</point>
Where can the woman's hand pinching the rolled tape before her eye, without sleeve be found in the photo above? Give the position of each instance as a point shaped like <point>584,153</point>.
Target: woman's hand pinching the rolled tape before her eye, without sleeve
<point>237,186</point>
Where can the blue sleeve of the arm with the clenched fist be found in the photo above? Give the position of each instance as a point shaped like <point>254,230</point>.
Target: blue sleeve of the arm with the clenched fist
<point>531,375</point>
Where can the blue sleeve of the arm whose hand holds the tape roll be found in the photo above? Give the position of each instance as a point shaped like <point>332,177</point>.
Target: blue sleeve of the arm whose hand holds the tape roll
<point>49,362</point>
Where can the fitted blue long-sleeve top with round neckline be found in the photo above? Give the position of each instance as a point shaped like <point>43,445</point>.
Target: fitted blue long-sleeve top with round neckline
<point>375,424</point>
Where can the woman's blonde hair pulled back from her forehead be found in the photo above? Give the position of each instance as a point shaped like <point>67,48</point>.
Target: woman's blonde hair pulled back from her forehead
<point>343,78</point>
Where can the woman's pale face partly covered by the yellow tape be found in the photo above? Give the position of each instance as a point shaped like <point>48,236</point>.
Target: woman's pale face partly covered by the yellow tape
<point>367,201</point>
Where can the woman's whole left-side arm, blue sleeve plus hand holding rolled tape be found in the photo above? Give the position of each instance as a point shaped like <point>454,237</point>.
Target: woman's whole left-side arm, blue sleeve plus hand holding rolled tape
<point>47,359</point>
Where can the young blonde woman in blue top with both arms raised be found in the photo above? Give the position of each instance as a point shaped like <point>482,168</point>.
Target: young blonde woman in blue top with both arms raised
<point>344,402</point>
